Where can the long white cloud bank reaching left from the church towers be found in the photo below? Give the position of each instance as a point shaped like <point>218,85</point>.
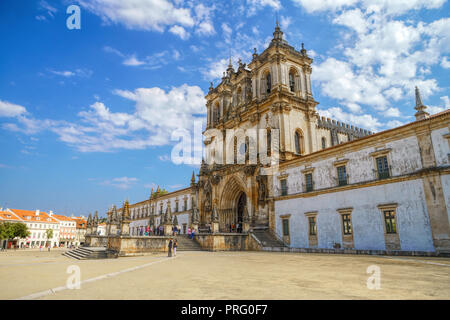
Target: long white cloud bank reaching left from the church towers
<point>157,114</point>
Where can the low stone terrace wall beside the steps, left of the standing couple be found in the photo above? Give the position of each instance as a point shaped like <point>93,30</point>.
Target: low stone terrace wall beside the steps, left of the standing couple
<point>137,245</point>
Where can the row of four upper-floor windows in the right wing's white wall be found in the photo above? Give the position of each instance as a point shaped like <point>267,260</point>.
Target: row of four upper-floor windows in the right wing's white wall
<point>382,171</point>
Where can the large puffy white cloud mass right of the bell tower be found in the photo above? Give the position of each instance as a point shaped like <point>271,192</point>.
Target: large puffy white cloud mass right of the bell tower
<point>385,57</point>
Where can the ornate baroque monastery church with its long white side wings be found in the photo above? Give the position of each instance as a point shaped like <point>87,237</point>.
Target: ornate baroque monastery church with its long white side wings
<point>333,185</point>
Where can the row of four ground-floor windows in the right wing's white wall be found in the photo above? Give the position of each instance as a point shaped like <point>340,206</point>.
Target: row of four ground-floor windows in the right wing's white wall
<point>389,217</point>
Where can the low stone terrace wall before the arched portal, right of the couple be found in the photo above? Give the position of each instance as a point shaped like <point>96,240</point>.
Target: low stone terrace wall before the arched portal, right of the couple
<point>223,241</point>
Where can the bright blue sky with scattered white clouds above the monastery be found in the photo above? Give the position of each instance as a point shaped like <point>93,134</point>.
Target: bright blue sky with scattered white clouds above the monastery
<point>87,115</point>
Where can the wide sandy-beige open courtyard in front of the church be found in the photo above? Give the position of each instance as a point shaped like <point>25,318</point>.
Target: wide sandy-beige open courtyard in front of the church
<point>223,275</point>
